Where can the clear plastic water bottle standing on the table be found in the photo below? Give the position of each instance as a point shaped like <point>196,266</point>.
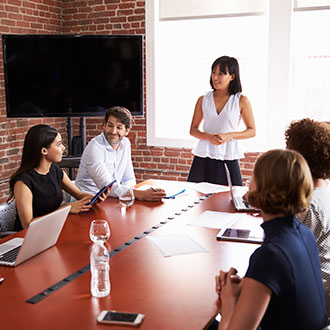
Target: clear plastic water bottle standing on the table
<point>100,280</point>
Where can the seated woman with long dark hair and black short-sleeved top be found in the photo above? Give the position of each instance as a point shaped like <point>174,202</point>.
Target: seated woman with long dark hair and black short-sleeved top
<point>37,184</point>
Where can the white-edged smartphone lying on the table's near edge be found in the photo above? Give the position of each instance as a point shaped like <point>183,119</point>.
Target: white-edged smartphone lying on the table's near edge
<point>120,318</point>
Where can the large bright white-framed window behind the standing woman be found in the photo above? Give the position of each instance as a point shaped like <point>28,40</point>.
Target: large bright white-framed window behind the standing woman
<point>284,61</point>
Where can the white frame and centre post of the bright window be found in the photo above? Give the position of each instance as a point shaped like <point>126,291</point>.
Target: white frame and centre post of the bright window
<point>278,89</point>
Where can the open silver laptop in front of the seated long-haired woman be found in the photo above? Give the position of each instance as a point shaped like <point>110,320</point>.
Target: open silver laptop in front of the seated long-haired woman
<point>40,235</point>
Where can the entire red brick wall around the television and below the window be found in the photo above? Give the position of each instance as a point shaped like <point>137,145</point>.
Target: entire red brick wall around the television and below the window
<point>84,17</point>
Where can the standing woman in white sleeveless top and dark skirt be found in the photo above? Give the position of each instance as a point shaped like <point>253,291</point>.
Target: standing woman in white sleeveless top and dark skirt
<point>221,110</point>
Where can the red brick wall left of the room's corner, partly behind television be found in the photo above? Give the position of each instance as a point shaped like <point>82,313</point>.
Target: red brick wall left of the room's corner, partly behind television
<point>23,17</point>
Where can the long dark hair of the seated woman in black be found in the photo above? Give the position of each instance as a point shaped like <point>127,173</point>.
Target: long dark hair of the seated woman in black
<point>38,137</point>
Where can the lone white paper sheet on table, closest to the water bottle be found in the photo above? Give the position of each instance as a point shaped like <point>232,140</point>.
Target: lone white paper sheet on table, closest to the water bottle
<point>174,244</point>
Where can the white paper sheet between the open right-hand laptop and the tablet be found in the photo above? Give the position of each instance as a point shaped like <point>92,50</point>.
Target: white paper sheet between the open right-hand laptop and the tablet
<point>212,219</point>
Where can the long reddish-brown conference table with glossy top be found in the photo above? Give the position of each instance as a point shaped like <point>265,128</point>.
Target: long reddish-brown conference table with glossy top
<point>176,292</point>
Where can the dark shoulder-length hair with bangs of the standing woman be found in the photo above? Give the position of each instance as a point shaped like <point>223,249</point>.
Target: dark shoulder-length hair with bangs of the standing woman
<point>228,65</point>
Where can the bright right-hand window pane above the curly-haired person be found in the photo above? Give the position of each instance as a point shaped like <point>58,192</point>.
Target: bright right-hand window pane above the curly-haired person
<point>311,65</point>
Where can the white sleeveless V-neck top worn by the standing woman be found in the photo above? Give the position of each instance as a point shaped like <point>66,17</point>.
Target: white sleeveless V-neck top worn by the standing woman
<point>227,121</point>
